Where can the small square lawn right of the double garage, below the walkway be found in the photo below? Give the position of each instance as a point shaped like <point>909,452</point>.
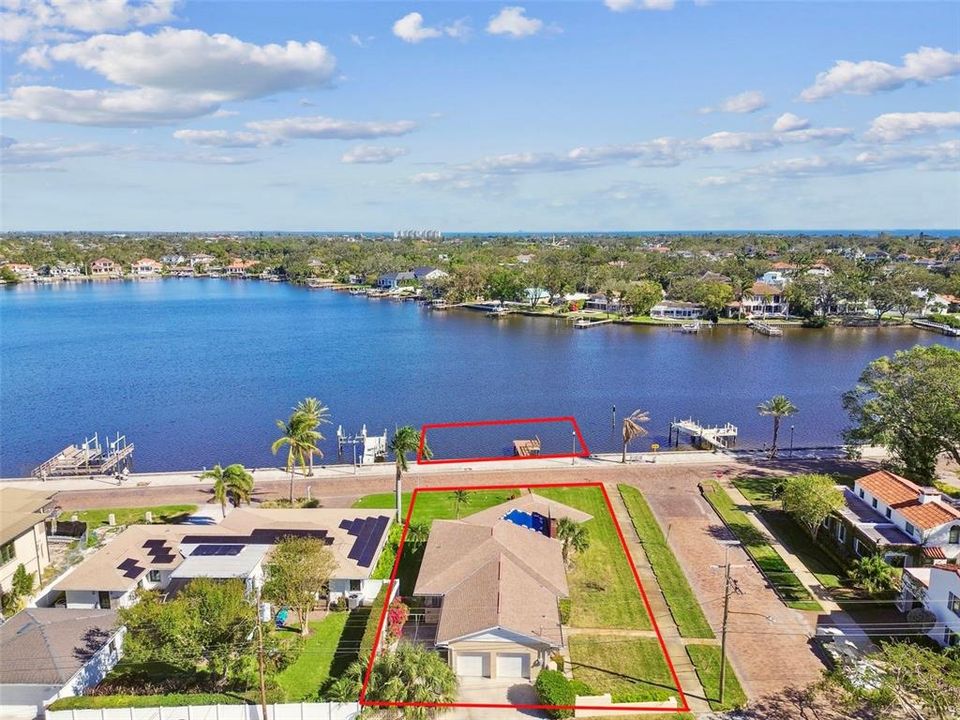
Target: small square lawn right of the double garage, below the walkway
<point>631,670</point>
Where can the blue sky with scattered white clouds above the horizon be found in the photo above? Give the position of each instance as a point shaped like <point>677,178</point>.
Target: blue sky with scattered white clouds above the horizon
<point>624,114</point>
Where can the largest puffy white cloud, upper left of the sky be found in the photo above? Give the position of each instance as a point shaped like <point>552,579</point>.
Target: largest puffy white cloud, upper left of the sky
<point>219,67</point>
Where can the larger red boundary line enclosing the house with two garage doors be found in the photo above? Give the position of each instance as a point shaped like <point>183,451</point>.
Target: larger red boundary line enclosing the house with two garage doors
<point>684,704</point>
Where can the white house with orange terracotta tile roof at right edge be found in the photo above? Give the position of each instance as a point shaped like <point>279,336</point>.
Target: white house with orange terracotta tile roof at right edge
<point>887,514</point>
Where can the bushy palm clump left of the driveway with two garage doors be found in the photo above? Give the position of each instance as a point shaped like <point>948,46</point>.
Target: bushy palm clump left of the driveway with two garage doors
<point>409,674</point>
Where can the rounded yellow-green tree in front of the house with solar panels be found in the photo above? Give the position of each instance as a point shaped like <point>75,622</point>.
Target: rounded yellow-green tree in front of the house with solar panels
<point>298,570</point>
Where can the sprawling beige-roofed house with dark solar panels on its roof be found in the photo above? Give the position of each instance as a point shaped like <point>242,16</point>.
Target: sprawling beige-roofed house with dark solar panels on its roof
<point>166,557</point>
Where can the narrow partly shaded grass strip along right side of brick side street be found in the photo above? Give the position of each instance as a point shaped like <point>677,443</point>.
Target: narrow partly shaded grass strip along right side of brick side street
<point>777,571</point>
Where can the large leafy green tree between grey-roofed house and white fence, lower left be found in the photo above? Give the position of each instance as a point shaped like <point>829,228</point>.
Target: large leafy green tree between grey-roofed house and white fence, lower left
<point>208,627</point>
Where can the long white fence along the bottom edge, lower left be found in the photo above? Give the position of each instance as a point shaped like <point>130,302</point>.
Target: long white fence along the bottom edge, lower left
<point>291,711</point>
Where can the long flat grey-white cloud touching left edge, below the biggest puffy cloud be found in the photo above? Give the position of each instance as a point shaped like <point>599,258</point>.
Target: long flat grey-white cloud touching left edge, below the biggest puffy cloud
<point>108,108</point>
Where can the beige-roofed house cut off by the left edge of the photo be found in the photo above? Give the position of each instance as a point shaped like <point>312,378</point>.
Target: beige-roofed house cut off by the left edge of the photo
<point>23,534</point>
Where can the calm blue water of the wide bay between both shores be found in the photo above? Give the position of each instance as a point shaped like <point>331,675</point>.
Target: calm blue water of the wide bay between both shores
<point>196,371</point>
